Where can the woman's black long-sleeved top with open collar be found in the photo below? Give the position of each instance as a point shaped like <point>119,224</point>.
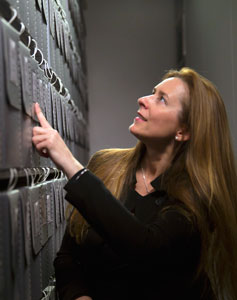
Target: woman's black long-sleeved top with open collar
<point>132,251</point>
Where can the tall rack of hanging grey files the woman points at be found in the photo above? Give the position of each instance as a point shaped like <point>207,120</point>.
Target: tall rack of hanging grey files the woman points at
<point>41,59</point>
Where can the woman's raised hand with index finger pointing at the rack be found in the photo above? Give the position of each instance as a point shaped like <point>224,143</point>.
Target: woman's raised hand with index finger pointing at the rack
<point>49,143</point>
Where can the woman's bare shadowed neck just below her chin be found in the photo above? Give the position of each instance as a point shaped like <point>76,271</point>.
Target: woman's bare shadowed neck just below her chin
<point>156,160</point>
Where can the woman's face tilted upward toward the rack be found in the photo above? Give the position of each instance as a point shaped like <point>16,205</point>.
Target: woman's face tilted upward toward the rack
<point>158,114</point>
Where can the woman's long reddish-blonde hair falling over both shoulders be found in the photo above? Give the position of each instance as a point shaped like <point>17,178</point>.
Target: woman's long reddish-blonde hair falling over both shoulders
<point>202,177</point>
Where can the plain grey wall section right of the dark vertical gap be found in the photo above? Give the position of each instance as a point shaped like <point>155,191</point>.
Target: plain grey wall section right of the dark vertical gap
<point>212,48</point>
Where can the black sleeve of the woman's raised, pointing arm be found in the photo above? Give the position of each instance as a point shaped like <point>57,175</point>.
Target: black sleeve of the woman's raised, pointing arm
<point>121,229</point>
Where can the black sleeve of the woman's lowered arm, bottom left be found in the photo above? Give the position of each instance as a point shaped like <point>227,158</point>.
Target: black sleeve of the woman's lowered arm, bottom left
<point>70,278</point>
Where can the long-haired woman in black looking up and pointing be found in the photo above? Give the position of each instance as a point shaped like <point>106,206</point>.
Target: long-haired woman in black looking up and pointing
<point>157,221</point>
